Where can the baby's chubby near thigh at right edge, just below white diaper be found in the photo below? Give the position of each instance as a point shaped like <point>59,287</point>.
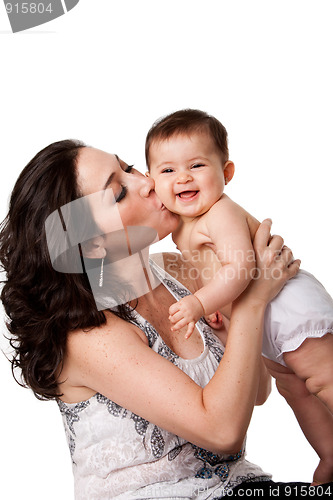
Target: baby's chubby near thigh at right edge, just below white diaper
<point>313,363</point>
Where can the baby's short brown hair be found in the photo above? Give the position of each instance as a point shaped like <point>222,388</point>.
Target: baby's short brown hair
<point>188,121</point>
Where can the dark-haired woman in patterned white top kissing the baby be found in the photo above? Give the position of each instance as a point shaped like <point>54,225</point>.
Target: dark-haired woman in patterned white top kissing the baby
<point>147,413</point>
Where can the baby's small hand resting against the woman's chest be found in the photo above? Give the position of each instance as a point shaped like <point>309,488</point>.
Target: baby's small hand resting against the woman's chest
<point>186,312</point>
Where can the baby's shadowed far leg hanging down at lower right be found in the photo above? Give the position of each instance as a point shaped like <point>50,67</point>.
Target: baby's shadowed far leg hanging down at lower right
<point>314,418</point>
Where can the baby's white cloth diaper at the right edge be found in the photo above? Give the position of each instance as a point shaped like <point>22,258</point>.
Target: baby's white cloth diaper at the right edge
<point>301,310</point>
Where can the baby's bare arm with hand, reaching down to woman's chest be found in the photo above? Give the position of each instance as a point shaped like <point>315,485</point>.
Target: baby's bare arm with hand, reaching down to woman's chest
<point>226,226</point>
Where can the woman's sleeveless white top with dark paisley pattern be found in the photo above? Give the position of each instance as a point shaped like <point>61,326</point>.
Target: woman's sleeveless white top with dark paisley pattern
<point>117,454</point>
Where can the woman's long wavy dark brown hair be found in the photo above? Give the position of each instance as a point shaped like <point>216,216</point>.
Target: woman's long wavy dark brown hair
<point>42,305</point>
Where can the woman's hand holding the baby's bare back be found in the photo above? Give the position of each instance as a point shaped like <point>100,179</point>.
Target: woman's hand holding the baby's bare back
<point>275,265</point>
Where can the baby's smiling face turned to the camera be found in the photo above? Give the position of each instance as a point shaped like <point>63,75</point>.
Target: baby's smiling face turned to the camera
<point>188,173</point>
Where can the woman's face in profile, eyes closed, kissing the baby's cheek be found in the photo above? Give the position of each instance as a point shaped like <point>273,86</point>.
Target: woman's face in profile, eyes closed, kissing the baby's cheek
<point>123,196</point>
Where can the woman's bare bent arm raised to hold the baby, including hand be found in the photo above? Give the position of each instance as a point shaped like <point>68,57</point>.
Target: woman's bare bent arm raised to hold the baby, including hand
<point>116,361</point>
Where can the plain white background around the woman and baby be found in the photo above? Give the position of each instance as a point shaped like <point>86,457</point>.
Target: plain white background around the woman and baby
<point>103,73</point>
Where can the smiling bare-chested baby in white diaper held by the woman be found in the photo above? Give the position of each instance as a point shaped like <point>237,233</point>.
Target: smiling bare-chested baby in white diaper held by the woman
<point>187,156</point>
